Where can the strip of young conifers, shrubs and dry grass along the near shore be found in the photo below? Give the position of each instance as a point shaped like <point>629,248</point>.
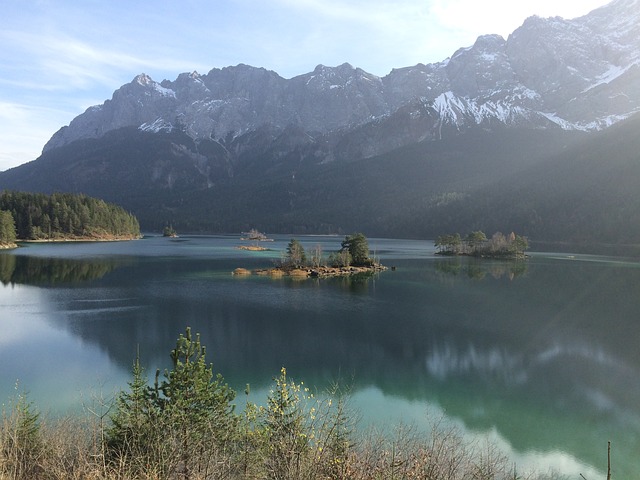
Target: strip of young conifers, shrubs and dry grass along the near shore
<point>185,427</point>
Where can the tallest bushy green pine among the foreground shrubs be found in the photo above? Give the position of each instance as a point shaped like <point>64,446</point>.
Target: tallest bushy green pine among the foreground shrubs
<point>179,423</point>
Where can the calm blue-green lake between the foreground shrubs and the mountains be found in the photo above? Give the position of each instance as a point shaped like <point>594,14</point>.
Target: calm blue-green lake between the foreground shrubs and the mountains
<point>540,356</point>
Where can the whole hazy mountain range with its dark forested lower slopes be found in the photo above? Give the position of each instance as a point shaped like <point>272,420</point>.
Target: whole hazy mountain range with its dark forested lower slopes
<point>535,133</point>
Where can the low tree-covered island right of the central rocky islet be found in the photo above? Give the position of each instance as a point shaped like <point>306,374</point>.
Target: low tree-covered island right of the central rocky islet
<point>477,244</point>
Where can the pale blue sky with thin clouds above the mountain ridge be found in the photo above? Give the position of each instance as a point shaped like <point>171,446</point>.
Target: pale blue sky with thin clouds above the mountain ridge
<point>59,57</point>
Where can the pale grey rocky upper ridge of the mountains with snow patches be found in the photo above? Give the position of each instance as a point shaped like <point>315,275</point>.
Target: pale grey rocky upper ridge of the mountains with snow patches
<point>573,74</point>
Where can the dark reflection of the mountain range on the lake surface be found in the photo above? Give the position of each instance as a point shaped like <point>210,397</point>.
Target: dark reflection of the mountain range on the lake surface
<point>548,361</point>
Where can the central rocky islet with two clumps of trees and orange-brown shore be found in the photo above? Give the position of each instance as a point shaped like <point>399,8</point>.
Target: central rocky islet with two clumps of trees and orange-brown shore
<point>352,258</point>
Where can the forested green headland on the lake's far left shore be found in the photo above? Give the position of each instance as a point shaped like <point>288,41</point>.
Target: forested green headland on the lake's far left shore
<point>38,216</point>
